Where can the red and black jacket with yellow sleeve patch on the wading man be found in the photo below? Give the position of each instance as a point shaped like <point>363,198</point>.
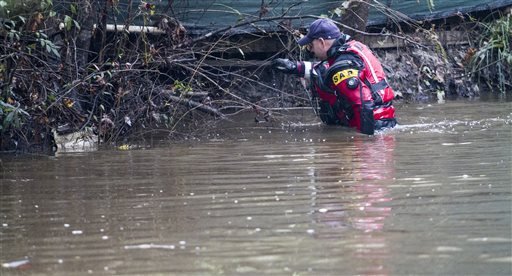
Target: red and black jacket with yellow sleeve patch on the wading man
<point>353,83</point>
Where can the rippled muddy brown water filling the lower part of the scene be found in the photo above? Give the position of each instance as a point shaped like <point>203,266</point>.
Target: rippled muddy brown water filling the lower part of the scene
<point>290,197</point>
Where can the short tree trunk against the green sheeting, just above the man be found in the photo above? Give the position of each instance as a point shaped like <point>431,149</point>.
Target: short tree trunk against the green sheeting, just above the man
<point>356,17</point>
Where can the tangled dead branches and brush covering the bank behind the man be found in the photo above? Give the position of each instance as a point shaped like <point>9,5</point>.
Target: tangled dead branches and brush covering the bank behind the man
<point>67,70</point>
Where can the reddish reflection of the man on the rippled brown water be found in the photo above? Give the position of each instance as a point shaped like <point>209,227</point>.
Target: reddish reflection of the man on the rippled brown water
<point>352,200</point>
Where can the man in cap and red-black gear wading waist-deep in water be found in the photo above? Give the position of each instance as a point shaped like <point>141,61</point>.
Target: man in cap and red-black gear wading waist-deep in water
<point>349,81</point>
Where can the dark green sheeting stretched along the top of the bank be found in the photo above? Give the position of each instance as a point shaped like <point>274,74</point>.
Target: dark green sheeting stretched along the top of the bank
<point>202,16</point>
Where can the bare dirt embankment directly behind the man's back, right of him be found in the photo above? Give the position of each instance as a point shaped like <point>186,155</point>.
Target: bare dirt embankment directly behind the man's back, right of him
<point>425,74</point>
